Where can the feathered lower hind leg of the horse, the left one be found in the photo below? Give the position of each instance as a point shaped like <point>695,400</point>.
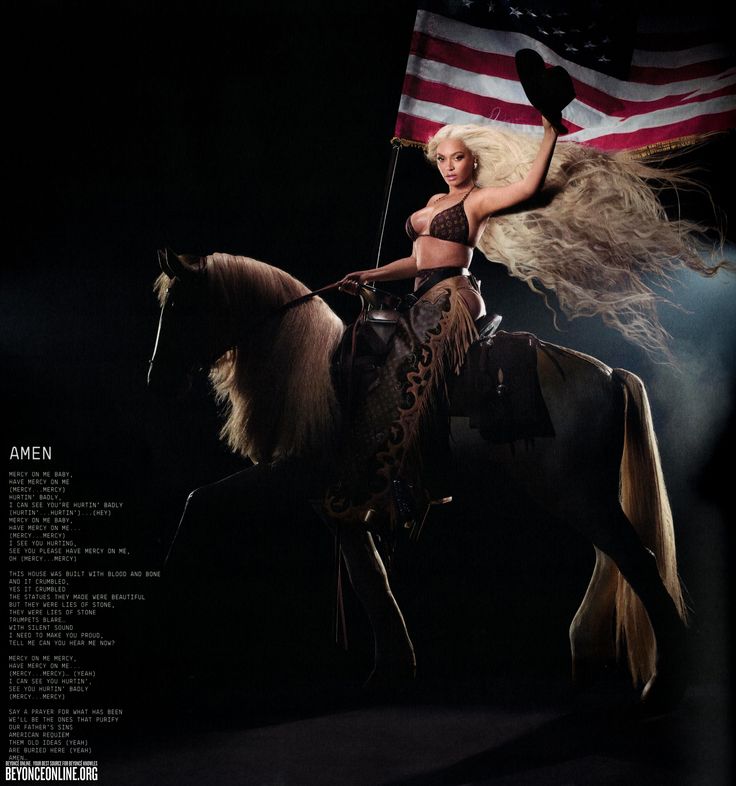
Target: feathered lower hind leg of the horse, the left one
<point>592,641</point>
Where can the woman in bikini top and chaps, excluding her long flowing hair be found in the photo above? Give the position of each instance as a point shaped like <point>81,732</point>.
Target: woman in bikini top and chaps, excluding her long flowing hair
<point>436,331</point>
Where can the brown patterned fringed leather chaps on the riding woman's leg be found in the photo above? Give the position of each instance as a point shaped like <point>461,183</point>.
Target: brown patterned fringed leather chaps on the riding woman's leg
<point>385,434</point>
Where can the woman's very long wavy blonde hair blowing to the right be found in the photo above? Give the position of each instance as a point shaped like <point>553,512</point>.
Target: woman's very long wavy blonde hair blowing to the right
<point>596,235</point>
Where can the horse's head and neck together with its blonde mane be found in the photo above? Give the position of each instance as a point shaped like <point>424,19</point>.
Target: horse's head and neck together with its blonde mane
<point>278,381</point>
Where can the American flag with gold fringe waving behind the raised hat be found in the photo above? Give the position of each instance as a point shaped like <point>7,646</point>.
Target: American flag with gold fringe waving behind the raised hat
<point>640,82</point>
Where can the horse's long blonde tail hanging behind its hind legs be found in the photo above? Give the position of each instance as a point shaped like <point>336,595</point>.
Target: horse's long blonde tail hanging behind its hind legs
<point>645,502</point>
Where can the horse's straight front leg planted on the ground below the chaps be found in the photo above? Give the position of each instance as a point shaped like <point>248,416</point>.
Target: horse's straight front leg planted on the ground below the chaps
<point>394,653</point>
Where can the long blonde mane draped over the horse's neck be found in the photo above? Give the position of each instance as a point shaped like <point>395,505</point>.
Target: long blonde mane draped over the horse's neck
<point>276,384</point>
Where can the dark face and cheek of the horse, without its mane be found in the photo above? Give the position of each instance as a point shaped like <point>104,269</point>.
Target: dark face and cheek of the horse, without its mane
<point>187,338</point>
